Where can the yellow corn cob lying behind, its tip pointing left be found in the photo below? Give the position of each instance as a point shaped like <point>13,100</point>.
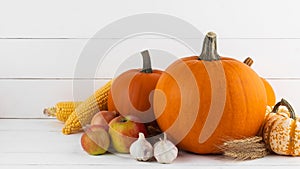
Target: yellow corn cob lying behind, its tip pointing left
<point>61,110</point>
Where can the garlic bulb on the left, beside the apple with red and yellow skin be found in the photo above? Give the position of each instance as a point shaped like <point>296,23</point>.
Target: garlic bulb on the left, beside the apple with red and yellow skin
<point>141,149</point>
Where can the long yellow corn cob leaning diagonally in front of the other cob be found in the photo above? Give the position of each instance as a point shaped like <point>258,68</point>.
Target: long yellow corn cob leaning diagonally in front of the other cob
<point>85,111</point>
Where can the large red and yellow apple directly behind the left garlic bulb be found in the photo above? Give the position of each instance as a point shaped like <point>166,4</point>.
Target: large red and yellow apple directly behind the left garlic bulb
<point>124,131</point>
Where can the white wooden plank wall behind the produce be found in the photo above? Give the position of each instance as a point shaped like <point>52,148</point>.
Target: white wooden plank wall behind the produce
<point>41,41</point>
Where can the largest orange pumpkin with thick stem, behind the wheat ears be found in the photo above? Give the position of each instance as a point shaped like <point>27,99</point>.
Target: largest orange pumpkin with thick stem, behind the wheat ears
<point>202,101</point>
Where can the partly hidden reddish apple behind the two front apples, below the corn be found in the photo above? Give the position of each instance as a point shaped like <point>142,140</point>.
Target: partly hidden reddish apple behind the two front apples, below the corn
<point>103,118</point>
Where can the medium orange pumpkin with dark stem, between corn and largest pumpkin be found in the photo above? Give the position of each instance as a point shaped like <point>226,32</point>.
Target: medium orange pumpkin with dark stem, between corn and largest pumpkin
<point>130,92</point>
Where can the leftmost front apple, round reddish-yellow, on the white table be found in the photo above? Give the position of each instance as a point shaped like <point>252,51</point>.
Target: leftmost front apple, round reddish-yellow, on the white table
<point>95,140</point>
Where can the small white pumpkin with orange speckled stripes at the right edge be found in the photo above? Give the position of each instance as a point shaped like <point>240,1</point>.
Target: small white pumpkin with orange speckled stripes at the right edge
<point>281,130</point>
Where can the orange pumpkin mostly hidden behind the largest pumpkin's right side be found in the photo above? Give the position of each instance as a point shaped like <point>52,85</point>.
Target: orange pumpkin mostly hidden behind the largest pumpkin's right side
<point>271,98</point>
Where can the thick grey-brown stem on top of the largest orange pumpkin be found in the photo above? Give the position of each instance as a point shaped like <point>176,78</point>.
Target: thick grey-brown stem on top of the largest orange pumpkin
<point>209,48</point>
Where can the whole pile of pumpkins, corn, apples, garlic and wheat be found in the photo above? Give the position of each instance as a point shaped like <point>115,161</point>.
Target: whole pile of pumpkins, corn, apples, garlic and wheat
<point>206,104</point>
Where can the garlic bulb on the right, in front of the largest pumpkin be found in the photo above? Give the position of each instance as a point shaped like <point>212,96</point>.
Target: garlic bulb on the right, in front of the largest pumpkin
<point>165,151</point>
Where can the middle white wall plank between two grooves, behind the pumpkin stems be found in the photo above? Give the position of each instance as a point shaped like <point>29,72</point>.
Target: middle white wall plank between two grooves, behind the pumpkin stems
<point>58,58</point>
